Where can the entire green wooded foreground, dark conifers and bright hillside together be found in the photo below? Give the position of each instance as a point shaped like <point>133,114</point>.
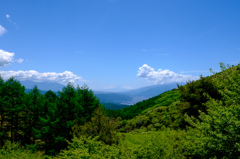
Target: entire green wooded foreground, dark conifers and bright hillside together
<point>198,120</point>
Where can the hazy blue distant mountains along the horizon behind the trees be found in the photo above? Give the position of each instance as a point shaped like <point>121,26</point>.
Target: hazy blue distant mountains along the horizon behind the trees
<point>118,98</point>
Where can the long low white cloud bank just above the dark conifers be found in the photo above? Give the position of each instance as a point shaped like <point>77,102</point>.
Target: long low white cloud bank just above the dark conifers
<point>62,78</point>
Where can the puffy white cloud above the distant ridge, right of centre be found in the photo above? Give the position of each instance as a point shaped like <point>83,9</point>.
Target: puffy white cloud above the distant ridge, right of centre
<point>162,76</point>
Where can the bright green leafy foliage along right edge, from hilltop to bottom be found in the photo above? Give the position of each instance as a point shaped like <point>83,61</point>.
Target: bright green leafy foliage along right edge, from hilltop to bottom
<point>218,129</point>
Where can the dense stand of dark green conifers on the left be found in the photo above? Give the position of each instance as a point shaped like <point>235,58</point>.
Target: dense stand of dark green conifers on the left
<point>42,121</point>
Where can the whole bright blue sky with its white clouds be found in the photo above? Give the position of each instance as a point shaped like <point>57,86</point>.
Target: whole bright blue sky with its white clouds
<point>117,43</point>
